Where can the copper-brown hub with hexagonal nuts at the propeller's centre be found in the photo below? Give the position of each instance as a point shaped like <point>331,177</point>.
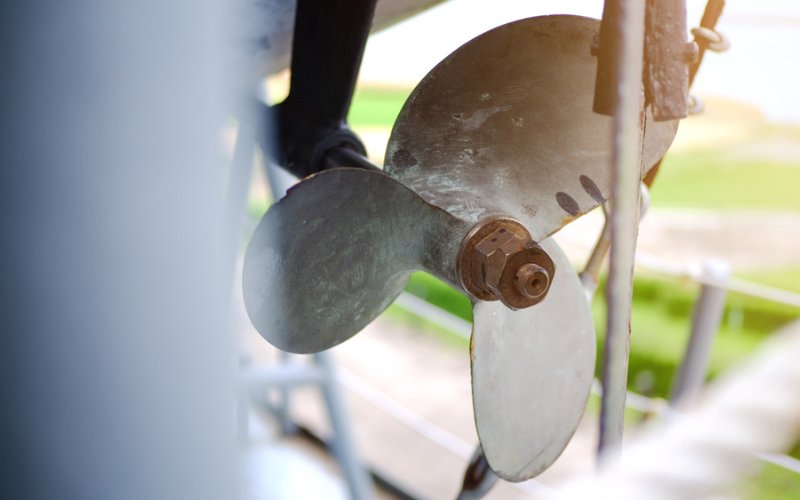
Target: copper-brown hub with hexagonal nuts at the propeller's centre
<point>498,260</point>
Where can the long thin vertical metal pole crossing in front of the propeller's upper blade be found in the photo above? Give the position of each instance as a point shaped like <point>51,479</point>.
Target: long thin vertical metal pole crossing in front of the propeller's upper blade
<point>627,171</point>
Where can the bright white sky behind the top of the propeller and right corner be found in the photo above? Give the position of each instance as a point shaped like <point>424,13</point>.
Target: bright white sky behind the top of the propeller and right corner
<point>762,67</point>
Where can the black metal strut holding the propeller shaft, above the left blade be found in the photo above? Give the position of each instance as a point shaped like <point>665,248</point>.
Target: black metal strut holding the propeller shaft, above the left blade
<point>328,44</point>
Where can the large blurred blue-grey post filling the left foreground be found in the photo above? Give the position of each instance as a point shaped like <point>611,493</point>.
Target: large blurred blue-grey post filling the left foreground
<point>116,372</point>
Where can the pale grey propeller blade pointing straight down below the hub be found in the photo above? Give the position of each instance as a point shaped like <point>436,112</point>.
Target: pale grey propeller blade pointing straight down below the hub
<point>531,374</point>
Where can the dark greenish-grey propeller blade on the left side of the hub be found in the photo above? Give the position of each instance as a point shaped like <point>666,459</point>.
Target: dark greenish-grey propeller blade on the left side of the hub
<point>336,251</point>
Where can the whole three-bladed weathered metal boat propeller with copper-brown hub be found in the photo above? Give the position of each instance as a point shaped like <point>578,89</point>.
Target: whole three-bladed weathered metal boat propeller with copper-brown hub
<point>495,150</point>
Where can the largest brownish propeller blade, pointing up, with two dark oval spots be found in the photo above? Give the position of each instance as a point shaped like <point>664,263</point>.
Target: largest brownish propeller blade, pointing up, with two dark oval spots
<point>504,126</point>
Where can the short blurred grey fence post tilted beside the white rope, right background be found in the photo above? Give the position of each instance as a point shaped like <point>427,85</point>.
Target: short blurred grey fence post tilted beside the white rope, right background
<point>706,319</point>
